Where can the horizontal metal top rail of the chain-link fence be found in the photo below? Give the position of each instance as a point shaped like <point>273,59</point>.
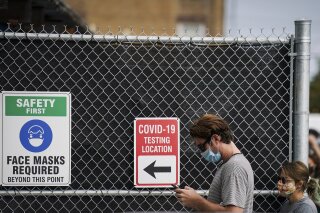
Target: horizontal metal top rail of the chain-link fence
<point>150,39</point>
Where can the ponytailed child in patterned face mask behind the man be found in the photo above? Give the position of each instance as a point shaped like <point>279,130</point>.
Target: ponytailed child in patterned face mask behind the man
<point>293,181</point>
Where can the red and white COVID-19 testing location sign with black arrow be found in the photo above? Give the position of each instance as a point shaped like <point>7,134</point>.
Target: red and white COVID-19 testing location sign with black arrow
<point>156,152</point>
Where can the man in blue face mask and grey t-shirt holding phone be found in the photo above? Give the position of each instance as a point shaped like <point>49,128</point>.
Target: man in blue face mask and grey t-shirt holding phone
<point>232,187</point>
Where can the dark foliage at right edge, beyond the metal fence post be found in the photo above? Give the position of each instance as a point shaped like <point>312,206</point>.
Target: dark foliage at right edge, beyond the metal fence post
<point>315,93</point>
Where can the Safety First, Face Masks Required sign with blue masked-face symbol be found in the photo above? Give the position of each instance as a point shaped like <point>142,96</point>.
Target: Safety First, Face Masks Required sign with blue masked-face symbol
<point>36,138</point>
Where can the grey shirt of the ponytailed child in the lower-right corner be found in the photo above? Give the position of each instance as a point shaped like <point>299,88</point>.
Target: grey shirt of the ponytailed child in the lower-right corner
<point>302,206</point>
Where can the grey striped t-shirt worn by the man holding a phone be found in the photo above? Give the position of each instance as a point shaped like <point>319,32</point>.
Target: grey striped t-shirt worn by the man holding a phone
<point>233,184</point>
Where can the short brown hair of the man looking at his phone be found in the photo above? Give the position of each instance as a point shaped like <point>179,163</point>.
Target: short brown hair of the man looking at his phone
<point>210,124</point>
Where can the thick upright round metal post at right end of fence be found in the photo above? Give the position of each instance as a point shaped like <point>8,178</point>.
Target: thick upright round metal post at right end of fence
<point>301,90</point>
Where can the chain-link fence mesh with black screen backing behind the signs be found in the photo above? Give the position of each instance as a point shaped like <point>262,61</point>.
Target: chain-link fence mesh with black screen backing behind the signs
<point>115,79</point>
